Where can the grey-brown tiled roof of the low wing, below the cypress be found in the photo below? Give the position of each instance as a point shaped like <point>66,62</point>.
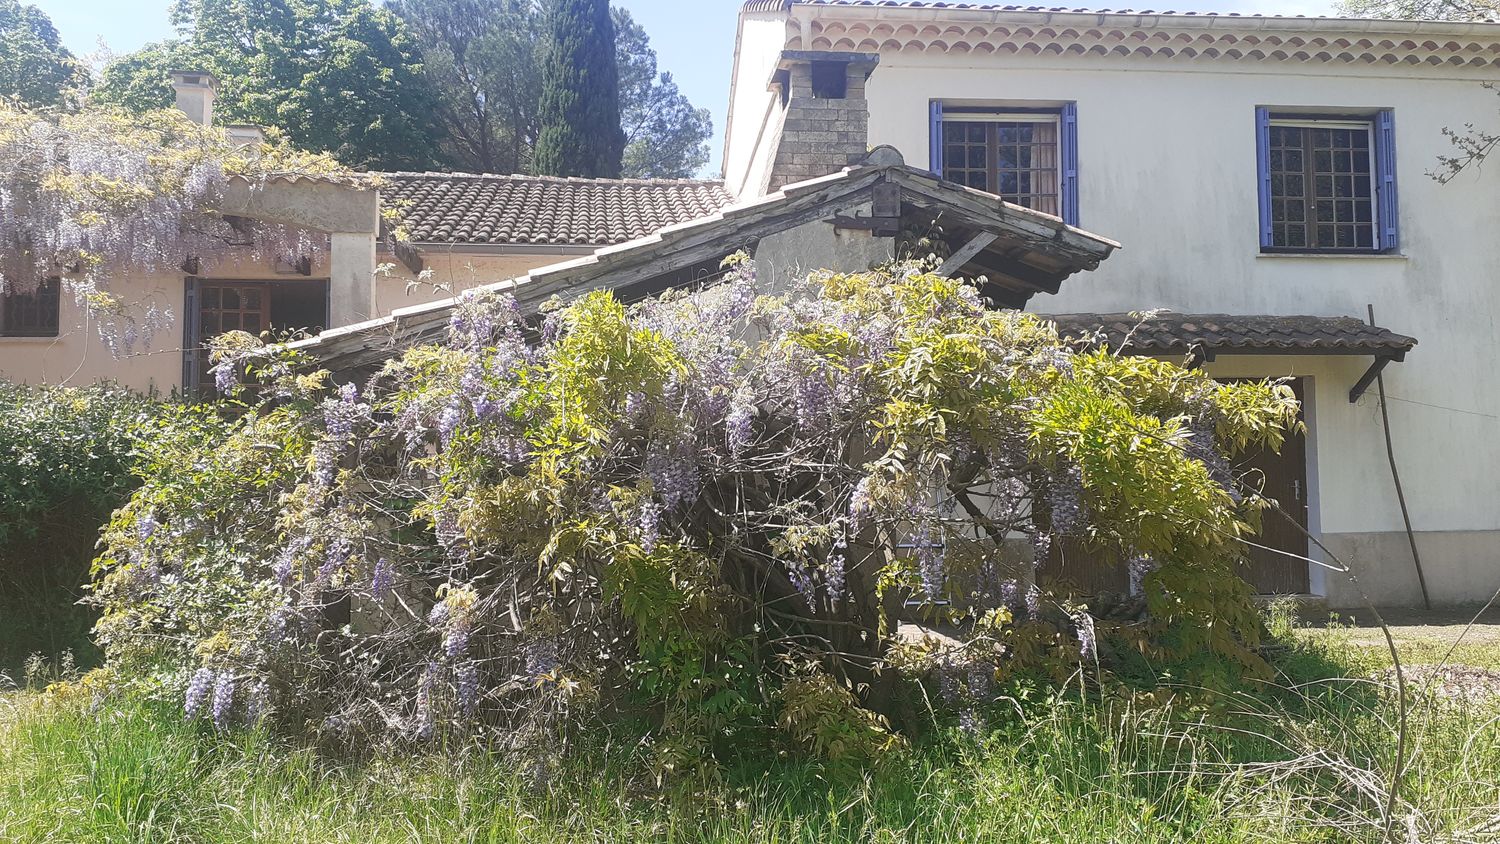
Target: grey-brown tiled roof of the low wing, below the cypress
<point>460,208</point>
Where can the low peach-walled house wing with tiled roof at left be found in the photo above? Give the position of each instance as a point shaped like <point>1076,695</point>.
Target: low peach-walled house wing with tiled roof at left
<point>464,230</point>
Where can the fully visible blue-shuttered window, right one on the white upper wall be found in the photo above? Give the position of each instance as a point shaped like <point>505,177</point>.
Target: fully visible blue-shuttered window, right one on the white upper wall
<point>1328,182</point>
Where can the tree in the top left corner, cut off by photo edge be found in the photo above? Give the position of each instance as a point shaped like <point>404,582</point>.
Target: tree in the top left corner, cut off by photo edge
<point>35,68</point>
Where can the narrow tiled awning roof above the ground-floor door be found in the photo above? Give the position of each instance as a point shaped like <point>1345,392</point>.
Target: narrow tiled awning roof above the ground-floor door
<point>1226,334</point>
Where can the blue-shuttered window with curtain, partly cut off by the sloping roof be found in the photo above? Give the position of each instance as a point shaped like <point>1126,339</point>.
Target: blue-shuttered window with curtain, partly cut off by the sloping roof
<point>1028,157</point>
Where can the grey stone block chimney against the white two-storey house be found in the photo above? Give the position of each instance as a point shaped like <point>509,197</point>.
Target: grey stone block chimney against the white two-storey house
<point>827,119</point>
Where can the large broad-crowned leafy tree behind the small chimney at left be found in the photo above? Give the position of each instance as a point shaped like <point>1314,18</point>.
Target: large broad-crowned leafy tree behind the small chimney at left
<point>335,76</point>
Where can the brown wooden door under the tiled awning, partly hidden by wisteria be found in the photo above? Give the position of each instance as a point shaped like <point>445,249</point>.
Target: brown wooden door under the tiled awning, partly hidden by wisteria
<point>1282,477</point>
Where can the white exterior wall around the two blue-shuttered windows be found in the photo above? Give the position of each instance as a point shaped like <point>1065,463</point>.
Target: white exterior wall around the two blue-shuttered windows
<point>1168,167</point>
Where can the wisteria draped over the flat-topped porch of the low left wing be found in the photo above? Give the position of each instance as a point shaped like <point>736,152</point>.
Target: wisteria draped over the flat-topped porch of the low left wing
<point>101,196</point>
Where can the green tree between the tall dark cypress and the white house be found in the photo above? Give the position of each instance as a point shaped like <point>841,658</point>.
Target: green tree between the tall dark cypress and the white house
<point>667,137</point>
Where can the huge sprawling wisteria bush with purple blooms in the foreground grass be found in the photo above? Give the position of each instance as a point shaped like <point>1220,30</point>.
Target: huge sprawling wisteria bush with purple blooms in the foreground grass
<point>716,509</point>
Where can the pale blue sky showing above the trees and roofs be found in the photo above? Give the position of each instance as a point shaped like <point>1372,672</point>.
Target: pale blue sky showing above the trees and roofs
<point>694,38</point>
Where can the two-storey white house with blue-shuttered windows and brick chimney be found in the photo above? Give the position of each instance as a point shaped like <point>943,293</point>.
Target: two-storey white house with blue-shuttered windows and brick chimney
<point>1270,182</point>
